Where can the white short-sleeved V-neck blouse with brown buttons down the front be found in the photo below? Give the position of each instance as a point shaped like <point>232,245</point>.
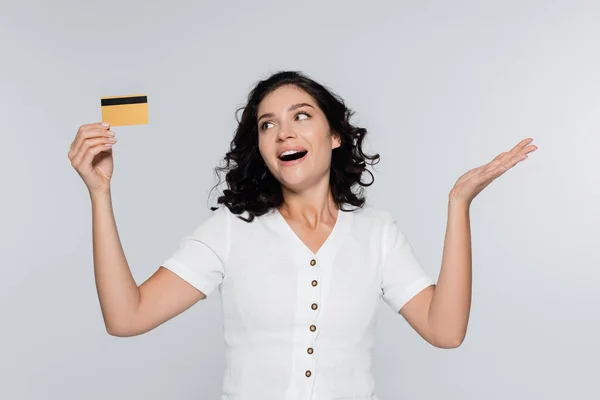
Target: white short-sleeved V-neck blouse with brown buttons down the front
<point>300,325</point>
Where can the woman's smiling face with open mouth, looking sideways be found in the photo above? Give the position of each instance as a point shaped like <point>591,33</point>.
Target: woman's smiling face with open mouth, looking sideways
<point>294,138</point>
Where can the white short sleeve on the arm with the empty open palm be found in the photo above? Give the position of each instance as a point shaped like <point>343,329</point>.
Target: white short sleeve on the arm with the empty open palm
<point>402,275</point>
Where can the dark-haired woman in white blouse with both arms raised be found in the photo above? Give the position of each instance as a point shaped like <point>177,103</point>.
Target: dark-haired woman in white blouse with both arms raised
<point>299,260</point>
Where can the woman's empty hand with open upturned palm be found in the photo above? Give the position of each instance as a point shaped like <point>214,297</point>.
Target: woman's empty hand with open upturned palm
<point>473,182</point>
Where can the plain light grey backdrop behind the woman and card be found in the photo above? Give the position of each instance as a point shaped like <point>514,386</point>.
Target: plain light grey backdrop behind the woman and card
<point>443,87</point>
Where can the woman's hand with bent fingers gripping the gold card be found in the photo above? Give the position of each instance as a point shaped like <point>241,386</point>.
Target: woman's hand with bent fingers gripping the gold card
<point>91,156</point>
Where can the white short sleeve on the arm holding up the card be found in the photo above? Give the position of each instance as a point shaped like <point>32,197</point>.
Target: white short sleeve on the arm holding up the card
<point>200,256</point>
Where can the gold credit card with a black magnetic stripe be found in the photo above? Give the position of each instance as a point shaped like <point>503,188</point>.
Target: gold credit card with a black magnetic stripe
<point>125,110</point>
